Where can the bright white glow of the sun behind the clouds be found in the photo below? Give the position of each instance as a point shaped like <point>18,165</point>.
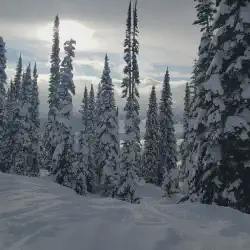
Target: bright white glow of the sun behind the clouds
<point>83,36</point>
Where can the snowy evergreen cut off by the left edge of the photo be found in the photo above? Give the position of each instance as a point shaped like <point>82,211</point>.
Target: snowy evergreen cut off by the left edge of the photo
<point>3,83</point>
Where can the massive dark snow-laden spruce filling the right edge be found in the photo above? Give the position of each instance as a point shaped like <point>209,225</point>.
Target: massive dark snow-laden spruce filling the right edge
<point>225,163</point>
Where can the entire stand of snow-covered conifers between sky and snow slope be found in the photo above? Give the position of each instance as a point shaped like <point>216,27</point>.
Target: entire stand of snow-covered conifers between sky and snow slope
<point>215,152</point>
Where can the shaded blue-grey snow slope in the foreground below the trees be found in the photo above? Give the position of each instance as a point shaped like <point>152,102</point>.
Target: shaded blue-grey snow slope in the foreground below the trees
<point>37,214</point>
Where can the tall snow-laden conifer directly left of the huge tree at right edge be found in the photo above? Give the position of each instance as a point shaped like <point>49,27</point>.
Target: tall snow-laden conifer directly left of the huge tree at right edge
<point>196,145</point>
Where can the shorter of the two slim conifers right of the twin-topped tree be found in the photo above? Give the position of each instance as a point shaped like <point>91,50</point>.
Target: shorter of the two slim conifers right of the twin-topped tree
<point>151,144</point>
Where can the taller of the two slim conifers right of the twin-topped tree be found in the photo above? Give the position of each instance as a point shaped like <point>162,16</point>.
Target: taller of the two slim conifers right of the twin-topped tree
<point>168,174</point>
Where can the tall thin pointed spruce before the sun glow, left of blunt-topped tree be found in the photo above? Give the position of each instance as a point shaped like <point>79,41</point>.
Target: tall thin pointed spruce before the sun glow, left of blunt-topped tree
<point>51,128</point>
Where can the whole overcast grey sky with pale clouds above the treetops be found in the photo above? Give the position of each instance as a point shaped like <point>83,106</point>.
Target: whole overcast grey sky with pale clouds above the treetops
<point>167,38</point>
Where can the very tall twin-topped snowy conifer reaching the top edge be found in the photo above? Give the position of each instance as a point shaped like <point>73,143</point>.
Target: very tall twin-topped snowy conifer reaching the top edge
<point>131,156</point>
